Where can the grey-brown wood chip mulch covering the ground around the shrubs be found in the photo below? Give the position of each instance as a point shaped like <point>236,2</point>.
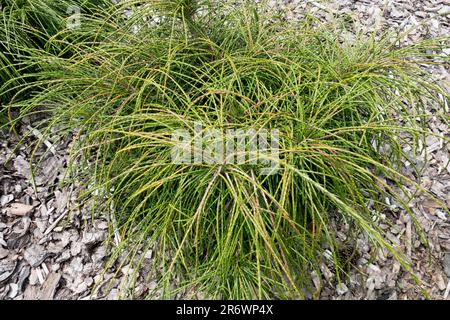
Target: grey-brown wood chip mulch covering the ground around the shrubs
<point>52,247</point>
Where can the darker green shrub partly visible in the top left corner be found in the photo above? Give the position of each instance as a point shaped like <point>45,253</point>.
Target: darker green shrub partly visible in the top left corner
<point>31,24</point>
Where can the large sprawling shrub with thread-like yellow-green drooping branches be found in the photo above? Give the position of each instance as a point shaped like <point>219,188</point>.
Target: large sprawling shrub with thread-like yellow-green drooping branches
<point>344,110</point>
